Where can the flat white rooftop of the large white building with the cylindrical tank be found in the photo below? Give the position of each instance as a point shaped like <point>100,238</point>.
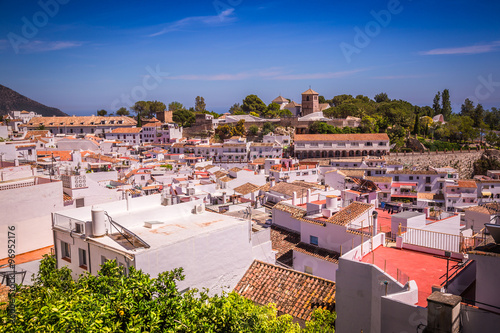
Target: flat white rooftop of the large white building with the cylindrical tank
<point>170,224</point>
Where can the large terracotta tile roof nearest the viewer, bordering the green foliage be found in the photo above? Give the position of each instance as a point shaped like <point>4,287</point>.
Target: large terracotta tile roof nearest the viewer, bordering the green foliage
<point>294,293</point>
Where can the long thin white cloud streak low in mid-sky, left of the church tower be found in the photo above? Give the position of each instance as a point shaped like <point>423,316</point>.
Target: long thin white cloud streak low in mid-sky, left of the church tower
<point>267,74</point>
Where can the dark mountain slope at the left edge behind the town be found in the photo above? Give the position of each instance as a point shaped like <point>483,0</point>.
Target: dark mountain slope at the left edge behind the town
<point>13,101</point>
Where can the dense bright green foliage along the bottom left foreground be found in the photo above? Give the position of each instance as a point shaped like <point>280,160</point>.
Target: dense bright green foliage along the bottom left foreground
<point>115,302</point>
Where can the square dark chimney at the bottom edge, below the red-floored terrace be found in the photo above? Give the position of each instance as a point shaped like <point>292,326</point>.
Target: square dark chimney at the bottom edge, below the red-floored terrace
<point>443,313</point>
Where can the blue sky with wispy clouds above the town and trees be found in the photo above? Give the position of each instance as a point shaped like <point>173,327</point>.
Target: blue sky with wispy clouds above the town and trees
<point>88,55</point>
